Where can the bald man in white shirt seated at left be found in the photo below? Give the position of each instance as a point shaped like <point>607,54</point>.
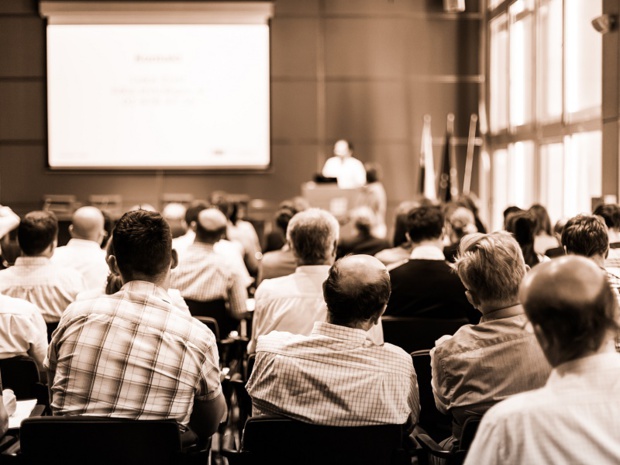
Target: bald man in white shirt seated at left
<point>83,252</point>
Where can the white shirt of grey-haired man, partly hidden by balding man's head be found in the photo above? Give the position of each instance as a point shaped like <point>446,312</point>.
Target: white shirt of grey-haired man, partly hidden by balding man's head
<point>293,304</point>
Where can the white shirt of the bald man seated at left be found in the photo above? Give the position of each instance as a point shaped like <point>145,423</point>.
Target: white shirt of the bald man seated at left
<point>87,257</point>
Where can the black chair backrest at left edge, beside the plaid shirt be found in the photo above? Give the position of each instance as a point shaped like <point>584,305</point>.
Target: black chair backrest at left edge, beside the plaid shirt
<point>22,376</point>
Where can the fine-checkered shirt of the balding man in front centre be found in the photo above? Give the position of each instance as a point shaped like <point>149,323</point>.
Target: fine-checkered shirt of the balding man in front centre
<point>335,376</point>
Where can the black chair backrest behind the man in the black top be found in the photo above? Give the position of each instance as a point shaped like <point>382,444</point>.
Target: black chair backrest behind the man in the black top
<point>417,333</point>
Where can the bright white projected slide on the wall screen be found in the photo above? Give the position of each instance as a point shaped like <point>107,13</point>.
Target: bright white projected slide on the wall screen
<point>158,96</point>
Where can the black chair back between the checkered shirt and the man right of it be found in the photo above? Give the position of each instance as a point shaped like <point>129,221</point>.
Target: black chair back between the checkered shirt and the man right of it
<point>435,423</point>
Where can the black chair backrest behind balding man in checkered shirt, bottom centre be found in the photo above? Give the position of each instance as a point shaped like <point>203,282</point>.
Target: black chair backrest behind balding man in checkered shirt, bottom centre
<point>277,440</point>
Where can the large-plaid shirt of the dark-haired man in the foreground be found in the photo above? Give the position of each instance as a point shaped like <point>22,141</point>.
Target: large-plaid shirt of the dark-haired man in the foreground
<point>131,355</point>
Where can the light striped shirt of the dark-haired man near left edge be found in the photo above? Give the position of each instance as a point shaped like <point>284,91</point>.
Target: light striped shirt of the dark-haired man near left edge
<point>39,281</point>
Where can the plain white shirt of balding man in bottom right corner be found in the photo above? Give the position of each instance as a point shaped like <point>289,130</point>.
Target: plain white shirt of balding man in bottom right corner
<point>575,418</point>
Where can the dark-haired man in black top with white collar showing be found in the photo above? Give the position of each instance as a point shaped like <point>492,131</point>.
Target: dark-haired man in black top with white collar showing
<point>426,286</point>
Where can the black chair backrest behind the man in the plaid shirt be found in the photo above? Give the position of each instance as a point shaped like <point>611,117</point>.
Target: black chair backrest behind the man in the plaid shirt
<point>99,441</point>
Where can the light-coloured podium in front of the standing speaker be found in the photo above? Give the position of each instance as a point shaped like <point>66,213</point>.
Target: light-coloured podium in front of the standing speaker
<point>331,198</point>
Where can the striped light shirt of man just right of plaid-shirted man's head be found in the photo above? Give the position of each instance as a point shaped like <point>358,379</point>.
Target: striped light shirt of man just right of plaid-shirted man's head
<point>204,275</point>
